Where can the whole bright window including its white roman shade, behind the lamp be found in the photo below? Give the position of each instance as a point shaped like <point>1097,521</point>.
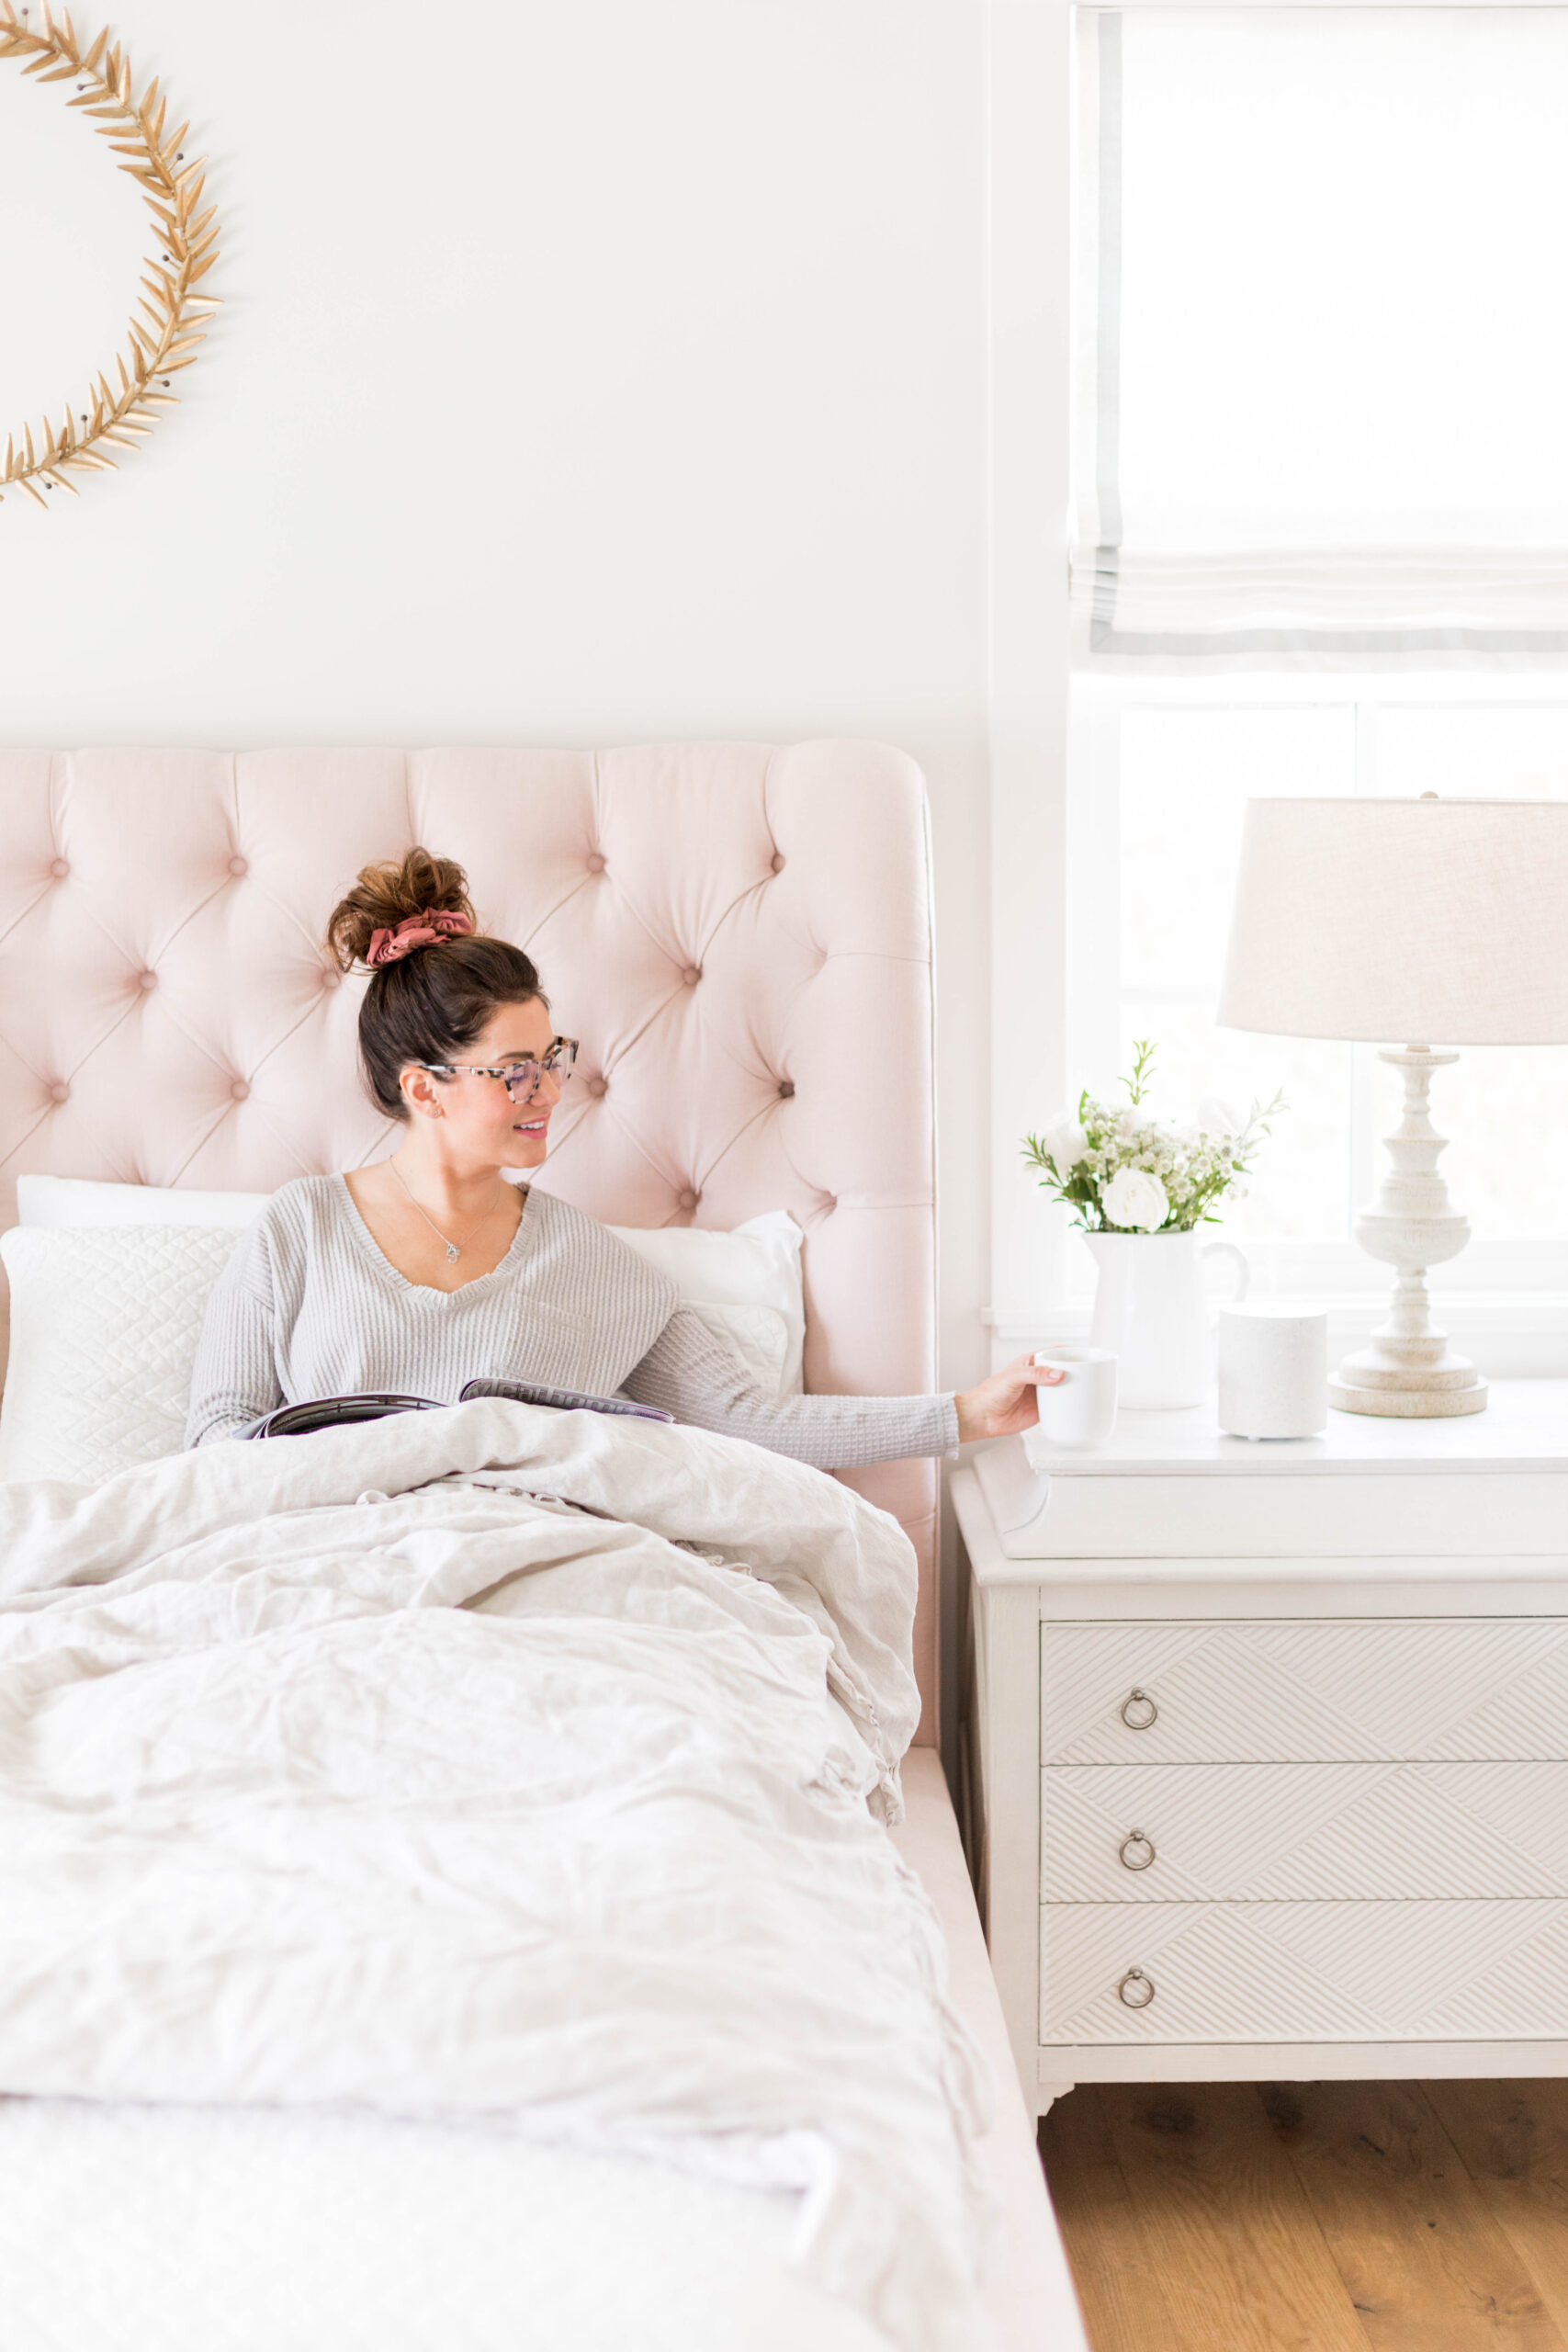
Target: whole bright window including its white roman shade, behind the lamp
<point>1320,547</point>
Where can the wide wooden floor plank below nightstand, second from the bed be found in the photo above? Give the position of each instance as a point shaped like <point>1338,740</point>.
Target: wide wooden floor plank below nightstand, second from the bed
<point>1242,2264</point>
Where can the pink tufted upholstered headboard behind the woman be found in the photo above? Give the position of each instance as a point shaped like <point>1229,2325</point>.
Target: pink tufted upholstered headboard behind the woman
<point>739,935</point>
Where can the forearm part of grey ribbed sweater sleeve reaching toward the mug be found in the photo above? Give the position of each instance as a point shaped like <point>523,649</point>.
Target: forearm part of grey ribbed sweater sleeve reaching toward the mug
<point>695,1377</point>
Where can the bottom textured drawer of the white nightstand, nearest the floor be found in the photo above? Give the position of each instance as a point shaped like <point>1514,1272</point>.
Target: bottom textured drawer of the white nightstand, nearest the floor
<point>1304,1972</point>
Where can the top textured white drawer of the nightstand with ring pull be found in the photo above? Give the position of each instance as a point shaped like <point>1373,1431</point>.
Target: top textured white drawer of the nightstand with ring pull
<point>1306,1690</point>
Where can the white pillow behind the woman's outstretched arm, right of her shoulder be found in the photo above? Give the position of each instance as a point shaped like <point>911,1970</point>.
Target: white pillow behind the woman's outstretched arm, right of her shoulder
<point>746,1285</point>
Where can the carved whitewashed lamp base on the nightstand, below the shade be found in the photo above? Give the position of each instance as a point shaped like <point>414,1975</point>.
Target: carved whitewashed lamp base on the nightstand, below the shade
<point>1409,1372</point>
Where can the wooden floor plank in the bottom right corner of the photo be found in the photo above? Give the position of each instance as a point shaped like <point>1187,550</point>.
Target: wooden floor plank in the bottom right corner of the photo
<point>1515,2146</point>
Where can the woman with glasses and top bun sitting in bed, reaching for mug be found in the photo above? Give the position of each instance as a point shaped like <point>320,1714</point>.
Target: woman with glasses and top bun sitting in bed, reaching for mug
<point>429,1269</point>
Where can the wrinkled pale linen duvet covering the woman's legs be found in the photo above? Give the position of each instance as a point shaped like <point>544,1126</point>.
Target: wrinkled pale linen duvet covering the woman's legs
<point>497,1768</point>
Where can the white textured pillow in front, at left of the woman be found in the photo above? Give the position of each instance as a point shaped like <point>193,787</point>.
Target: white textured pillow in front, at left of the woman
<point>105,1328</point>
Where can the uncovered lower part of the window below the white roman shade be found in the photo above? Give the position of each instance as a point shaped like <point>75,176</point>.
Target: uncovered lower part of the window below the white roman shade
<point>1162,773</point>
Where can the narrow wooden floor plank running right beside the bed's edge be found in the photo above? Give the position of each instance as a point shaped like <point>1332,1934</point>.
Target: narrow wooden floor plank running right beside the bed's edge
<point>1118,2280</point>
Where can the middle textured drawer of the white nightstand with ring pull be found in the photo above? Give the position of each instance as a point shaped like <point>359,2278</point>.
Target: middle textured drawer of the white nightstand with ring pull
<point>1268,1833</point>
